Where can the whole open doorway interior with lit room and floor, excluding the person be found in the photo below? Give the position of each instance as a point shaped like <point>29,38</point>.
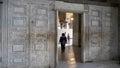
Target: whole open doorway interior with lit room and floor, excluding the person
<point>70,23</point>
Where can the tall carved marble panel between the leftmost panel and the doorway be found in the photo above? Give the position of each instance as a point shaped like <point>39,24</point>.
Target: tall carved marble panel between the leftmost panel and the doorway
<point>39,43</point>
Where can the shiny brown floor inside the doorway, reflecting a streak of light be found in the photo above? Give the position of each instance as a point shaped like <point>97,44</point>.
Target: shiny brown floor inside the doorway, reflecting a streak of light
<point>71,54</point>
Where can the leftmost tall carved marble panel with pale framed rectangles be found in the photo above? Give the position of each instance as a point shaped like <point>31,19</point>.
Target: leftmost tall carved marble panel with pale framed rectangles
<point>17,36</point>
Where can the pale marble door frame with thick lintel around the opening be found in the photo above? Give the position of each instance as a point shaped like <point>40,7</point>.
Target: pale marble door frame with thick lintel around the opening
<point>75,8</point>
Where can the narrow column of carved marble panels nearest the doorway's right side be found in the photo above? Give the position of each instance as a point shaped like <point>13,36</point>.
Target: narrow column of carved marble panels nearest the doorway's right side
<point>95,26</point>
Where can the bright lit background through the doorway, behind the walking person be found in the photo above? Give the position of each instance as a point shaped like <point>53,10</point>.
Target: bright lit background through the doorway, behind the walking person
<point>65,25</point>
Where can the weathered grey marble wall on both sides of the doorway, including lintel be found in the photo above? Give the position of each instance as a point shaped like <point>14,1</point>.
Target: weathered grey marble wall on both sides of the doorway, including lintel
<point>29,32</point>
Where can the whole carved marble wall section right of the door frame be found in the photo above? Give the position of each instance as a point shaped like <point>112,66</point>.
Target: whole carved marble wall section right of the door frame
<point>102,26</point>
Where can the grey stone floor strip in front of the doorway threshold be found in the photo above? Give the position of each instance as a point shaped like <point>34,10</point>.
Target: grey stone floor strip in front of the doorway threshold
<point>107,64</point>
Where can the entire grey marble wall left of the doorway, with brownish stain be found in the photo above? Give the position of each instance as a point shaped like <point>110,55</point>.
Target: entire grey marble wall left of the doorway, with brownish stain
<point>34,46</point>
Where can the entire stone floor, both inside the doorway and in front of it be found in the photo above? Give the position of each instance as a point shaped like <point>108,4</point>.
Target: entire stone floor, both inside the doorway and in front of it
<point>71,59</point>
